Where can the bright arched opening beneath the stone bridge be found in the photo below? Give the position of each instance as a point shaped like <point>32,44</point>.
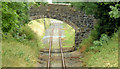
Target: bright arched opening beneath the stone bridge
<point>42,27</point>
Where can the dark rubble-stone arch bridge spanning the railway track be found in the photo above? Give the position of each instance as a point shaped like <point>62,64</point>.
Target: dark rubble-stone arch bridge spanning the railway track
<point>66,13</point>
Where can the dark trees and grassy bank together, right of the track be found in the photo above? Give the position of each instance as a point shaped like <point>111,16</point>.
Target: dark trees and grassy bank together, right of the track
<point>101,47</point>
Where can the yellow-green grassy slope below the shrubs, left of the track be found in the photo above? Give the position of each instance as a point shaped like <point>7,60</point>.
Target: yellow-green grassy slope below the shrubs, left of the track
<point>18,54</point>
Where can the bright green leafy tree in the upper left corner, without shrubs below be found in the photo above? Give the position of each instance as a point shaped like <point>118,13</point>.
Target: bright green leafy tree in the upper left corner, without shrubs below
<point>14,15</point>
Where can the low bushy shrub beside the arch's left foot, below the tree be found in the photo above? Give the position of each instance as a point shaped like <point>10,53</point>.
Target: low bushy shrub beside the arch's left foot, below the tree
<point>24,33</point>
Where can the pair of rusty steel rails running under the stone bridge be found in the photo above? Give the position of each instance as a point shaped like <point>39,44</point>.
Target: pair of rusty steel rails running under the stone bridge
<point>50,49</point>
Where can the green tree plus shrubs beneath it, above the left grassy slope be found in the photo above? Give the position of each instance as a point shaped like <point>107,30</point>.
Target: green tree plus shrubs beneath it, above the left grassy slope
<point>14,16</point>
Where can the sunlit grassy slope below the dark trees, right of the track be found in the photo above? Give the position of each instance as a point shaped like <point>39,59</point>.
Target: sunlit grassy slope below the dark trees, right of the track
<point>102,56</point>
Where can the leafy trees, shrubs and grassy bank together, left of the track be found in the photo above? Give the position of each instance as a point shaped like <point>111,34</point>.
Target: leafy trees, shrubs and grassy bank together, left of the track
<point>19,43</point>
